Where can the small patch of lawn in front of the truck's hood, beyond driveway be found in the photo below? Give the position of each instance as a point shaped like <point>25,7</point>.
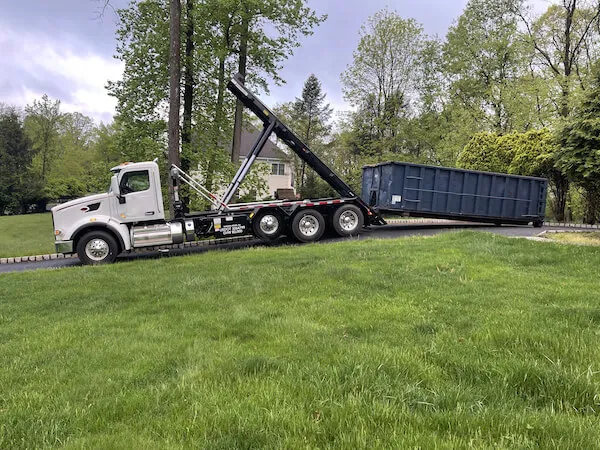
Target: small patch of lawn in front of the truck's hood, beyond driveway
<point>29,234</point>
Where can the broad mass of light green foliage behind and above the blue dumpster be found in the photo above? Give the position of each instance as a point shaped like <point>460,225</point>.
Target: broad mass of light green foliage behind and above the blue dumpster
<point>497,70</point>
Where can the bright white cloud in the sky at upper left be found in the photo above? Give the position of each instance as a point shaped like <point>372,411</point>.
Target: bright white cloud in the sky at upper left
<point>34,64</point>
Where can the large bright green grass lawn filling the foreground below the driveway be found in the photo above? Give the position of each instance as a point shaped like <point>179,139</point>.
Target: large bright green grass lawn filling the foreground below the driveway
<point>463,340</point>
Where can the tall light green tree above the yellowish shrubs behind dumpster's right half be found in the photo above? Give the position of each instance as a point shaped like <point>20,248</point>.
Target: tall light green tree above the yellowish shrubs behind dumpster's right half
<point>485,62</point>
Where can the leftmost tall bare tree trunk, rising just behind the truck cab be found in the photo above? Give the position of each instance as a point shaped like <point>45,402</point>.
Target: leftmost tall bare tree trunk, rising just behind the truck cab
<point>174,92</point>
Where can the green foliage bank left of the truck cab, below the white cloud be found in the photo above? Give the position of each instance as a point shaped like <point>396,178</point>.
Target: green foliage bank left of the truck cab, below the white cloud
<point>61,156</point>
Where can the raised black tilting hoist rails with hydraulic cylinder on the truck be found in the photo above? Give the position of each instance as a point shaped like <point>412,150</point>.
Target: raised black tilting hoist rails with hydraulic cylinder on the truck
<point>272,124</point>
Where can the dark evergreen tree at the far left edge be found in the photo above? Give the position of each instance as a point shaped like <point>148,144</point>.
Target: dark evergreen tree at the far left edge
<point>15,157</point>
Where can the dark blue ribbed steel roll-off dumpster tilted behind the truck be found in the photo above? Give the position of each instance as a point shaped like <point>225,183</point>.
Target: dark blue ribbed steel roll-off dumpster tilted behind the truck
<point>441,192</point>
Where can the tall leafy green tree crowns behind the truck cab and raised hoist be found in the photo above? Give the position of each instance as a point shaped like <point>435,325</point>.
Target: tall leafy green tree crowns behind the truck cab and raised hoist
<point>218,34</point>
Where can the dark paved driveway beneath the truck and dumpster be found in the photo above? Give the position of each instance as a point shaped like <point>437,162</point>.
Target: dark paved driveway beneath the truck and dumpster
<point>385,232</point>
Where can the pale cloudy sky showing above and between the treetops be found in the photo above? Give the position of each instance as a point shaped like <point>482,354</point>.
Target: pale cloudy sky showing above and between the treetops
<point>65,48</point>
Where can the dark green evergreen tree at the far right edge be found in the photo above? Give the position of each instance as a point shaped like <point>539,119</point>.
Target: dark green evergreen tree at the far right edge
<point>579,156</point>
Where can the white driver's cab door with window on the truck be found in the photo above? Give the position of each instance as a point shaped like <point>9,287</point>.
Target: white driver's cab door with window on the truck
<point>138,195</point>
